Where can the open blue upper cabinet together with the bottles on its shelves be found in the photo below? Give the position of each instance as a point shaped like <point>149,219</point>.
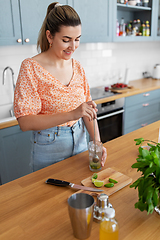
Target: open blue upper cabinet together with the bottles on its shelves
<point>134,23</point>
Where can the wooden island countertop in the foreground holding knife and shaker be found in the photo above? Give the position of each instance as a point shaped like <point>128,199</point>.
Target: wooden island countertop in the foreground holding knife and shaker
<point>31,209</point>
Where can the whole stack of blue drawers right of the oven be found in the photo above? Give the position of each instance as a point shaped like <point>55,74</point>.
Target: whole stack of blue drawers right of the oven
<point>141,110</point>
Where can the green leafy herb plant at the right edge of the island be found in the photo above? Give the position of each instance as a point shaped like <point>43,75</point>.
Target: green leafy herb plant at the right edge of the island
<point>148,163</point>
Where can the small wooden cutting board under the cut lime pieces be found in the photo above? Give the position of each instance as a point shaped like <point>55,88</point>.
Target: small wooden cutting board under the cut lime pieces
<point>104,175</point>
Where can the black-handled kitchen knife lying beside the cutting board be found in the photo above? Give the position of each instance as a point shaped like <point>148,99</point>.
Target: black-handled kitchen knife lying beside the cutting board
<point>72,185</point>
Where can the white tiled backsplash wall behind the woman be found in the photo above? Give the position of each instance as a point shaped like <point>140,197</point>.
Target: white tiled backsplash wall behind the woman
<point>104,63</point>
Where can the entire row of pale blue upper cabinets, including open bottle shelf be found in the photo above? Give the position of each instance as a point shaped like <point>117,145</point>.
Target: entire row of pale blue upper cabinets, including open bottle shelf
<point>21,20</point>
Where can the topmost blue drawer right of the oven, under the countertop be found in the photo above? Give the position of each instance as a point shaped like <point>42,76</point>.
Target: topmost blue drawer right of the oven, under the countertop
<point>142,98</point>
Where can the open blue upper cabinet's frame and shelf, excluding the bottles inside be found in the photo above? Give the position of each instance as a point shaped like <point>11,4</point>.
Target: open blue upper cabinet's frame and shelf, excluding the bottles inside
<point>131,13</point>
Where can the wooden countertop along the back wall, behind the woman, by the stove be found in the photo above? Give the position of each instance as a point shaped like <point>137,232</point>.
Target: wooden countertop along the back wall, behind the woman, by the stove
<point>140,86</point>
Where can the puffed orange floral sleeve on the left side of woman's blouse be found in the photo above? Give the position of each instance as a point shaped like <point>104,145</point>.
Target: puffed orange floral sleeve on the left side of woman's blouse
<point>26,97</point>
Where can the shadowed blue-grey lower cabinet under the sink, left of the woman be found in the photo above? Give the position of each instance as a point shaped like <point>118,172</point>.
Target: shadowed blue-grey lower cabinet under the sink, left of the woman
<point>15,150</point>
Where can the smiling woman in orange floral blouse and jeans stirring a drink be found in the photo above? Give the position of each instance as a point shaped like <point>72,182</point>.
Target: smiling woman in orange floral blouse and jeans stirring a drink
<point>52,96</point>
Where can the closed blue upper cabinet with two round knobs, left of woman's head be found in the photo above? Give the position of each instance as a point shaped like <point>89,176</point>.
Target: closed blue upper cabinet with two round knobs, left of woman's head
<point>21,20</point>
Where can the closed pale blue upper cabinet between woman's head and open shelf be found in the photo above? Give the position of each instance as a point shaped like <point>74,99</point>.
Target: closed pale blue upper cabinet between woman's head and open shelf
<point>96,17</point>
